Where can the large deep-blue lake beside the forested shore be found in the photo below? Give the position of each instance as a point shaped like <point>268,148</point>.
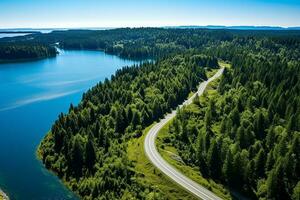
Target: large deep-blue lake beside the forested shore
<point>32,94</point>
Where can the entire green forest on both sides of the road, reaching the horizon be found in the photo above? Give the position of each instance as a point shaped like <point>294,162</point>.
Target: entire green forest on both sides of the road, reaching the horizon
<point>245,135</point>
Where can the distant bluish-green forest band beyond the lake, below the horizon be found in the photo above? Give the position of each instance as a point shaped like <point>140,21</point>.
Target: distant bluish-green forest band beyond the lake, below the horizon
<point>157,42</point>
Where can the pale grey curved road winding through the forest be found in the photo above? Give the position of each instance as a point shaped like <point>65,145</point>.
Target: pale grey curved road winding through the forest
<point>166,168</point>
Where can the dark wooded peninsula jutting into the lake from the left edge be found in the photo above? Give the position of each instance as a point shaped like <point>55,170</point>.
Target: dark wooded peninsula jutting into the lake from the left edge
<point>22,51</point>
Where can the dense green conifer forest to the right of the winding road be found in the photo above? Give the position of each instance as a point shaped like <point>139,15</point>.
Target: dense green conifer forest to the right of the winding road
<point>247,136</point>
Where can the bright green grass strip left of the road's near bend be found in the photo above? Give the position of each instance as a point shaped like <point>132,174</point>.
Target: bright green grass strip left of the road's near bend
<point>150,176</point>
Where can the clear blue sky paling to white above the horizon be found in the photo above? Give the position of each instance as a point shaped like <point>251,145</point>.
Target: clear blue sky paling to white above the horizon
<point>141,13</point>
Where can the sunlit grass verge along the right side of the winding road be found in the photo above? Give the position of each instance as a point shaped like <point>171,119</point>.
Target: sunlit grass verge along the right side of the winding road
<point>170,154</point>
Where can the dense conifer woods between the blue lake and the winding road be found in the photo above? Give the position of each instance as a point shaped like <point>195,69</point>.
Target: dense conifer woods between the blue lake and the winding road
<point>87,146</point>
